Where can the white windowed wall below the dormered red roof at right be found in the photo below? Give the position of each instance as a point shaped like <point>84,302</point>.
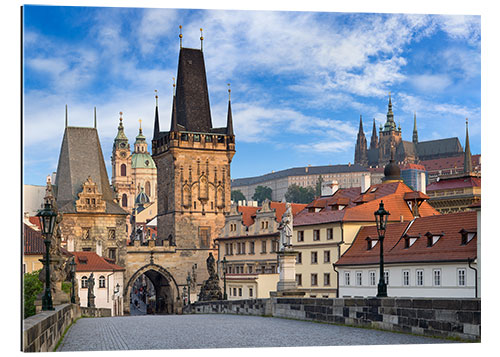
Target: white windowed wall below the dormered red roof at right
<point>446,280</point>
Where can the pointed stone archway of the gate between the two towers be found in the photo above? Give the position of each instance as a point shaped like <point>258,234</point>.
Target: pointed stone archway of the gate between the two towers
<point>168,300</point>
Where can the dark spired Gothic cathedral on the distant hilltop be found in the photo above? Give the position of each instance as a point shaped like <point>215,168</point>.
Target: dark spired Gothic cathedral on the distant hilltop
<point>390,141</point>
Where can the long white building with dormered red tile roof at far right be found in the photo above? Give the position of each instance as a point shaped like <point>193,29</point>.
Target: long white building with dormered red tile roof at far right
<point>432,256</point>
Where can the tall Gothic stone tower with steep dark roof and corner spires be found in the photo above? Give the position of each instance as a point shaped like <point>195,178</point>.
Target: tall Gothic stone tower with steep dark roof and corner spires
<point>194,163</point>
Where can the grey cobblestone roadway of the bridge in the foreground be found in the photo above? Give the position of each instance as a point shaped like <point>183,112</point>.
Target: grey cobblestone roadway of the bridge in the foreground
<point>218,331</point>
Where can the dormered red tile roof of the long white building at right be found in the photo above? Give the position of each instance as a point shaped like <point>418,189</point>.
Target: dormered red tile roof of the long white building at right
<point>448,248</point>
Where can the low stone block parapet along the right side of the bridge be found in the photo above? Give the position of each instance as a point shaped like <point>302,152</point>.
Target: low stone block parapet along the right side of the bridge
<point>444,318</point>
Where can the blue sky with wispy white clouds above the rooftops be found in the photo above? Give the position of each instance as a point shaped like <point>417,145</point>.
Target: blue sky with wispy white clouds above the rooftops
<point>299,80</point>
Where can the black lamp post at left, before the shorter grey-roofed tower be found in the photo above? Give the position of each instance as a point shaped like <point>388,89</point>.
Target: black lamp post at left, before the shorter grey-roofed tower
<point>47,221</point>
